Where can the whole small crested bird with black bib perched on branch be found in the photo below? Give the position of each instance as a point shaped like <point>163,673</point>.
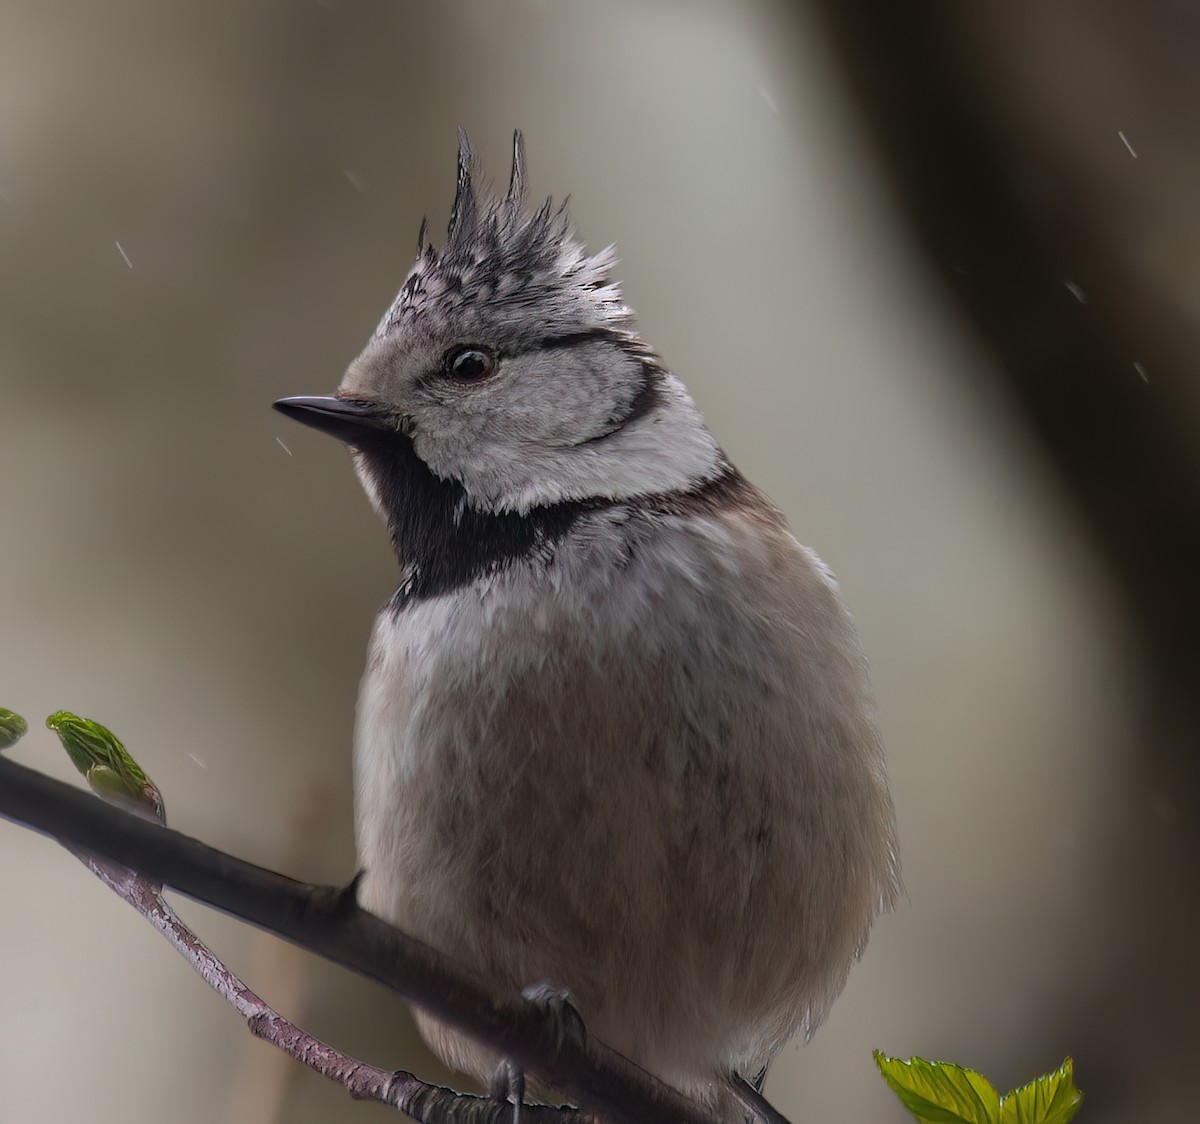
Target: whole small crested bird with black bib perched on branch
<point>615,737</point>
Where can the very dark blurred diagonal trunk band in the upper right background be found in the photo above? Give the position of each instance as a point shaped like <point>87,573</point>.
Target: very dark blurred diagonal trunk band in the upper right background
<point>1109,418</point>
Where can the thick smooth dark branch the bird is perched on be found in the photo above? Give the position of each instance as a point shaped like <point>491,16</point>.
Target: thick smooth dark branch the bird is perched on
<point>327,921</point>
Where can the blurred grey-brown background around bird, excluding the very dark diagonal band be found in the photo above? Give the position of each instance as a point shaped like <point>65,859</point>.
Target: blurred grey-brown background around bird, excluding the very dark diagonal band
<point>207,207</point>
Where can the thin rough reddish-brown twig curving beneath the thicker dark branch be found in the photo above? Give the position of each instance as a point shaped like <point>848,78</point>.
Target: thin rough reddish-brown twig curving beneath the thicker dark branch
<point>425,1103</point>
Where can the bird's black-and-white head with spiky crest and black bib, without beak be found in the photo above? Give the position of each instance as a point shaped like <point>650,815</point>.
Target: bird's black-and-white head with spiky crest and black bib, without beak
<point>517,392</point>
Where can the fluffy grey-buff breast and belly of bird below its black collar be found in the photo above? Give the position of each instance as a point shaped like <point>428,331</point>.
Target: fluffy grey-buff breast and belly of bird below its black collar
<point>608,770</point>
